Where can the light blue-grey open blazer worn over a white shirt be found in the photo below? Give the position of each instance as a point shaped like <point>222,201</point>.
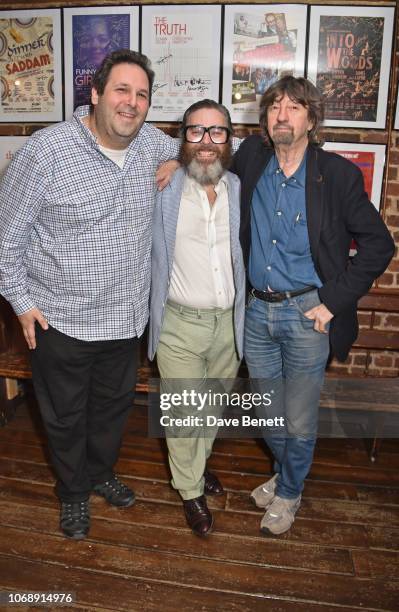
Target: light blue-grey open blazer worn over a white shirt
<point>163,245</point>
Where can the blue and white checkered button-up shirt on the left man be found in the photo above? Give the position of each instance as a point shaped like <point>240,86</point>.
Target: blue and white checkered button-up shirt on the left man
<point>75,230</point>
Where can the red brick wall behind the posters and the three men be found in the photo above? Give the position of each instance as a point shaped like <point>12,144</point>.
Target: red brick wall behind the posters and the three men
<point>360,361</point>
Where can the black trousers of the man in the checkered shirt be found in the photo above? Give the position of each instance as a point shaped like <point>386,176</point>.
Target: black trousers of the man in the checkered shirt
<point>85,392</point>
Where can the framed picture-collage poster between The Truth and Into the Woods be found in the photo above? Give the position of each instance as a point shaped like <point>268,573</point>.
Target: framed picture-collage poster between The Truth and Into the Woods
<point>262,43</point>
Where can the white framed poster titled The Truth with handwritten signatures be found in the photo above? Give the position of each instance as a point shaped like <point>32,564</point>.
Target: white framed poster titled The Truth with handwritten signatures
<point>183,43</point>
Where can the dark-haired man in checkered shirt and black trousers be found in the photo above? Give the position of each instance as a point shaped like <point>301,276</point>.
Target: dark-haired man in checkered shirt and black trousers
<point>75,240</point>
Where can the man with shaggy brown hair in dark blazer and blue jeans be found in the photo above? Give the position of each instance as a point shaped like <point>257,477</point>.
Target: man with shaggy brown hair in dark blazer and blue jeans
<point>301,208</point>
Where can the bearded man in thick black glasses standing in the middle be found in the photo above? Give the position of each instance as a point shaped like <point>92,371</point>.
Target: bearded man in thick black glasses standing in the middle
<point>197,292</point>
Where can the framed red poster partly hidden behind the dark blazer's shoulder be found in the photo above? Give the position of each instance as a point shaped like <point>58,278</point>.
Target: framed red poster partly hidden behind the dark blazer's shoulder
<point>370,159</point>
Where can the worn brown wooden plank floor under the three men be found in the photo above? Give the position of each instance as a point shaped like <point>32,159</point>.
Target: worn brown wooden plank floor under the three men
<point>341,554</point>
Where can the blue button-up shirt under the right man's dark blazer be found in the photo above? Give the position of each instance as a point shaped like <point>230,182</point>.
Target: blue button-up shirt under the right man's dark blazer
<point>280,257</point>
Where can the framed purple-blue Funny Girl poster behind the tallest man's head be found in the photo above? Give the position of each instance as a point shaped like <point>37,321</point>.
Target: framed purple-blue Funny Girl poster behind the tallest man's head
<point>89,35</point>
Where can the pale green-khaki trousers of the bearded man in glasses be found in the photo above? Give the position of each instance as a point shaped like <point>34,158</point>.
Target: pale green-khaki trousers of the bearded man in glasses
<point>195,345</point>
